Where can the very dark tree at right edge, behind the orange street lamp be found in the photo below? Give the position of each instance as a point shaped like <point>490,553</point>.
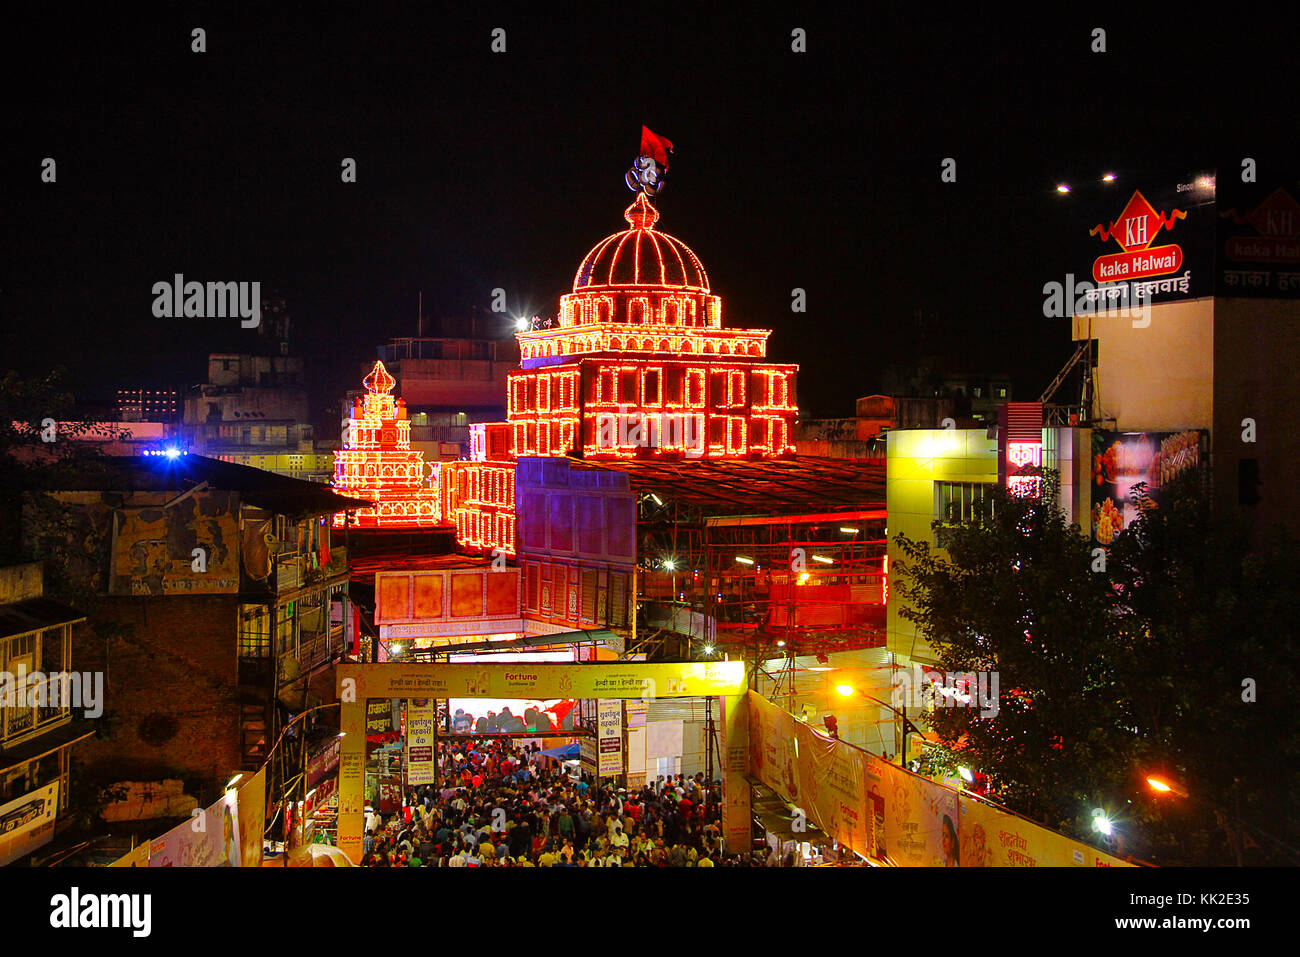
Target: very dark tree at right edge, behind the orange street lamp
<point>1211,677</point>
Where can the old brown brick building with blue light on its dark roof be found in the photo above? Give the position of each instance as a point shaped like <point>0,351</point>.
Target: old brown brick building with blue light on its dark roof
<point>227,605</point>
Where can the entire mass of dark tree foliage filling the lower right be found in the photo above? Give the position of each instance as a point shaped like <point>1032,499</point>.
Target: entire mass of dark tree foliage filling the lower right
<point>1107,677</point>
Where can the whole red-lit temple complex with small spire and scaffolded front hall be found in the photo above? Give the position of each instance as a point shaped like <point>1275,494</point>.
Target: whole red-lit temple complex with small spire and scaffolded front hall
<point>647,465</point>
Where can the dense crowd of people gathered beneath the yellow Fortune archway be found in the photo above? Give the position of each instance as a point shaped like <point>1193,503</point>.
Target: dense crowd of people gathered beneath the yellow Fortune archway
<point>500,806</point>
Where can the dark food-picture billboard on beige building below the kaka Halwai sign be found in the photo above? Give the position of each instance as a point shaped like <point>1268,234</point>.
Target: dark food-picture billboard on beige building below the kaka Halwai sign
<point>1121,461</point>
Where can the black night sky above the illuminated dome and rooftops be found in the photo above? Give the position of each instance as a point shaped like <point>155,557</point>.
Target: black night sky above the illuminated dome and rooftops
<point>478,170</point>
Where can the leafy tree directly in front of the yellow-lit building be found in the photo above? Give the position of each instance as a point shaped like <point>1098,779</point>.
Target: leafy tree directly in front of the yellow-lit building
<point>1013,592</point>
